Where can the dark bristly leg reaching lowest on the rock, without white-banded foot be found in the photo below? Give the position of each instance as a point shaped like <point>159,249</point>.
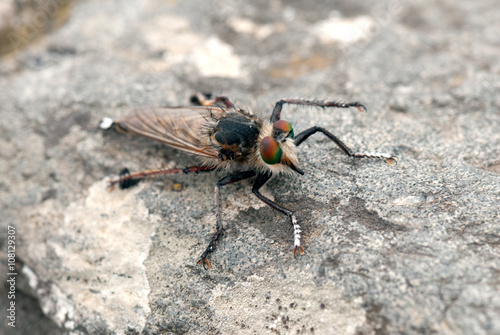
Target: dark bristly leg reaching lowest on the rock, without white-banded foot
<point>232,178</point>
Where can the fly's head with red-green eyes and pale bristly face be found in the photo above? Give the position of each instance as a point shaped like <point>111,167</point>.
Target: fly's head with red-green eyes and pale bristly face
<point>277,148</point>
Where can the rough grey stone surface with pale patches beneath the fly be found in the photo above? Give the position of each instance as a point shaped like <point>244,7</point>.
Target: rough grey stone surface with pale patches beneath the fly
<point>413,248</point>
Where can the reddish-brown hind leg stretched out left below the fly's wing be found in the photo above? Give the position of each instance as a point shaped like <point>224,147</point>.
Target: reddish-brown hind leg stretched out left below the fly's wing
<point>127,179</point>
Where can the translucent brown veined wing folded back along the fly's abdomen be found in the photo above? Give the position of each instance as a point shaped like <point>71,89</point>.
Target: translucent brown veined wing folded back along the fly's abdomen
<point>177,127</point>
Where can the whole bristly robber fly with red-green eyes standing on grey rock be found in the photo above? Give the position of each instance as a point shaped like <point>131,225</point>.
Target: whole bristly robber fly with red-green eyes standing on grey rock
<point>231,140</point>
